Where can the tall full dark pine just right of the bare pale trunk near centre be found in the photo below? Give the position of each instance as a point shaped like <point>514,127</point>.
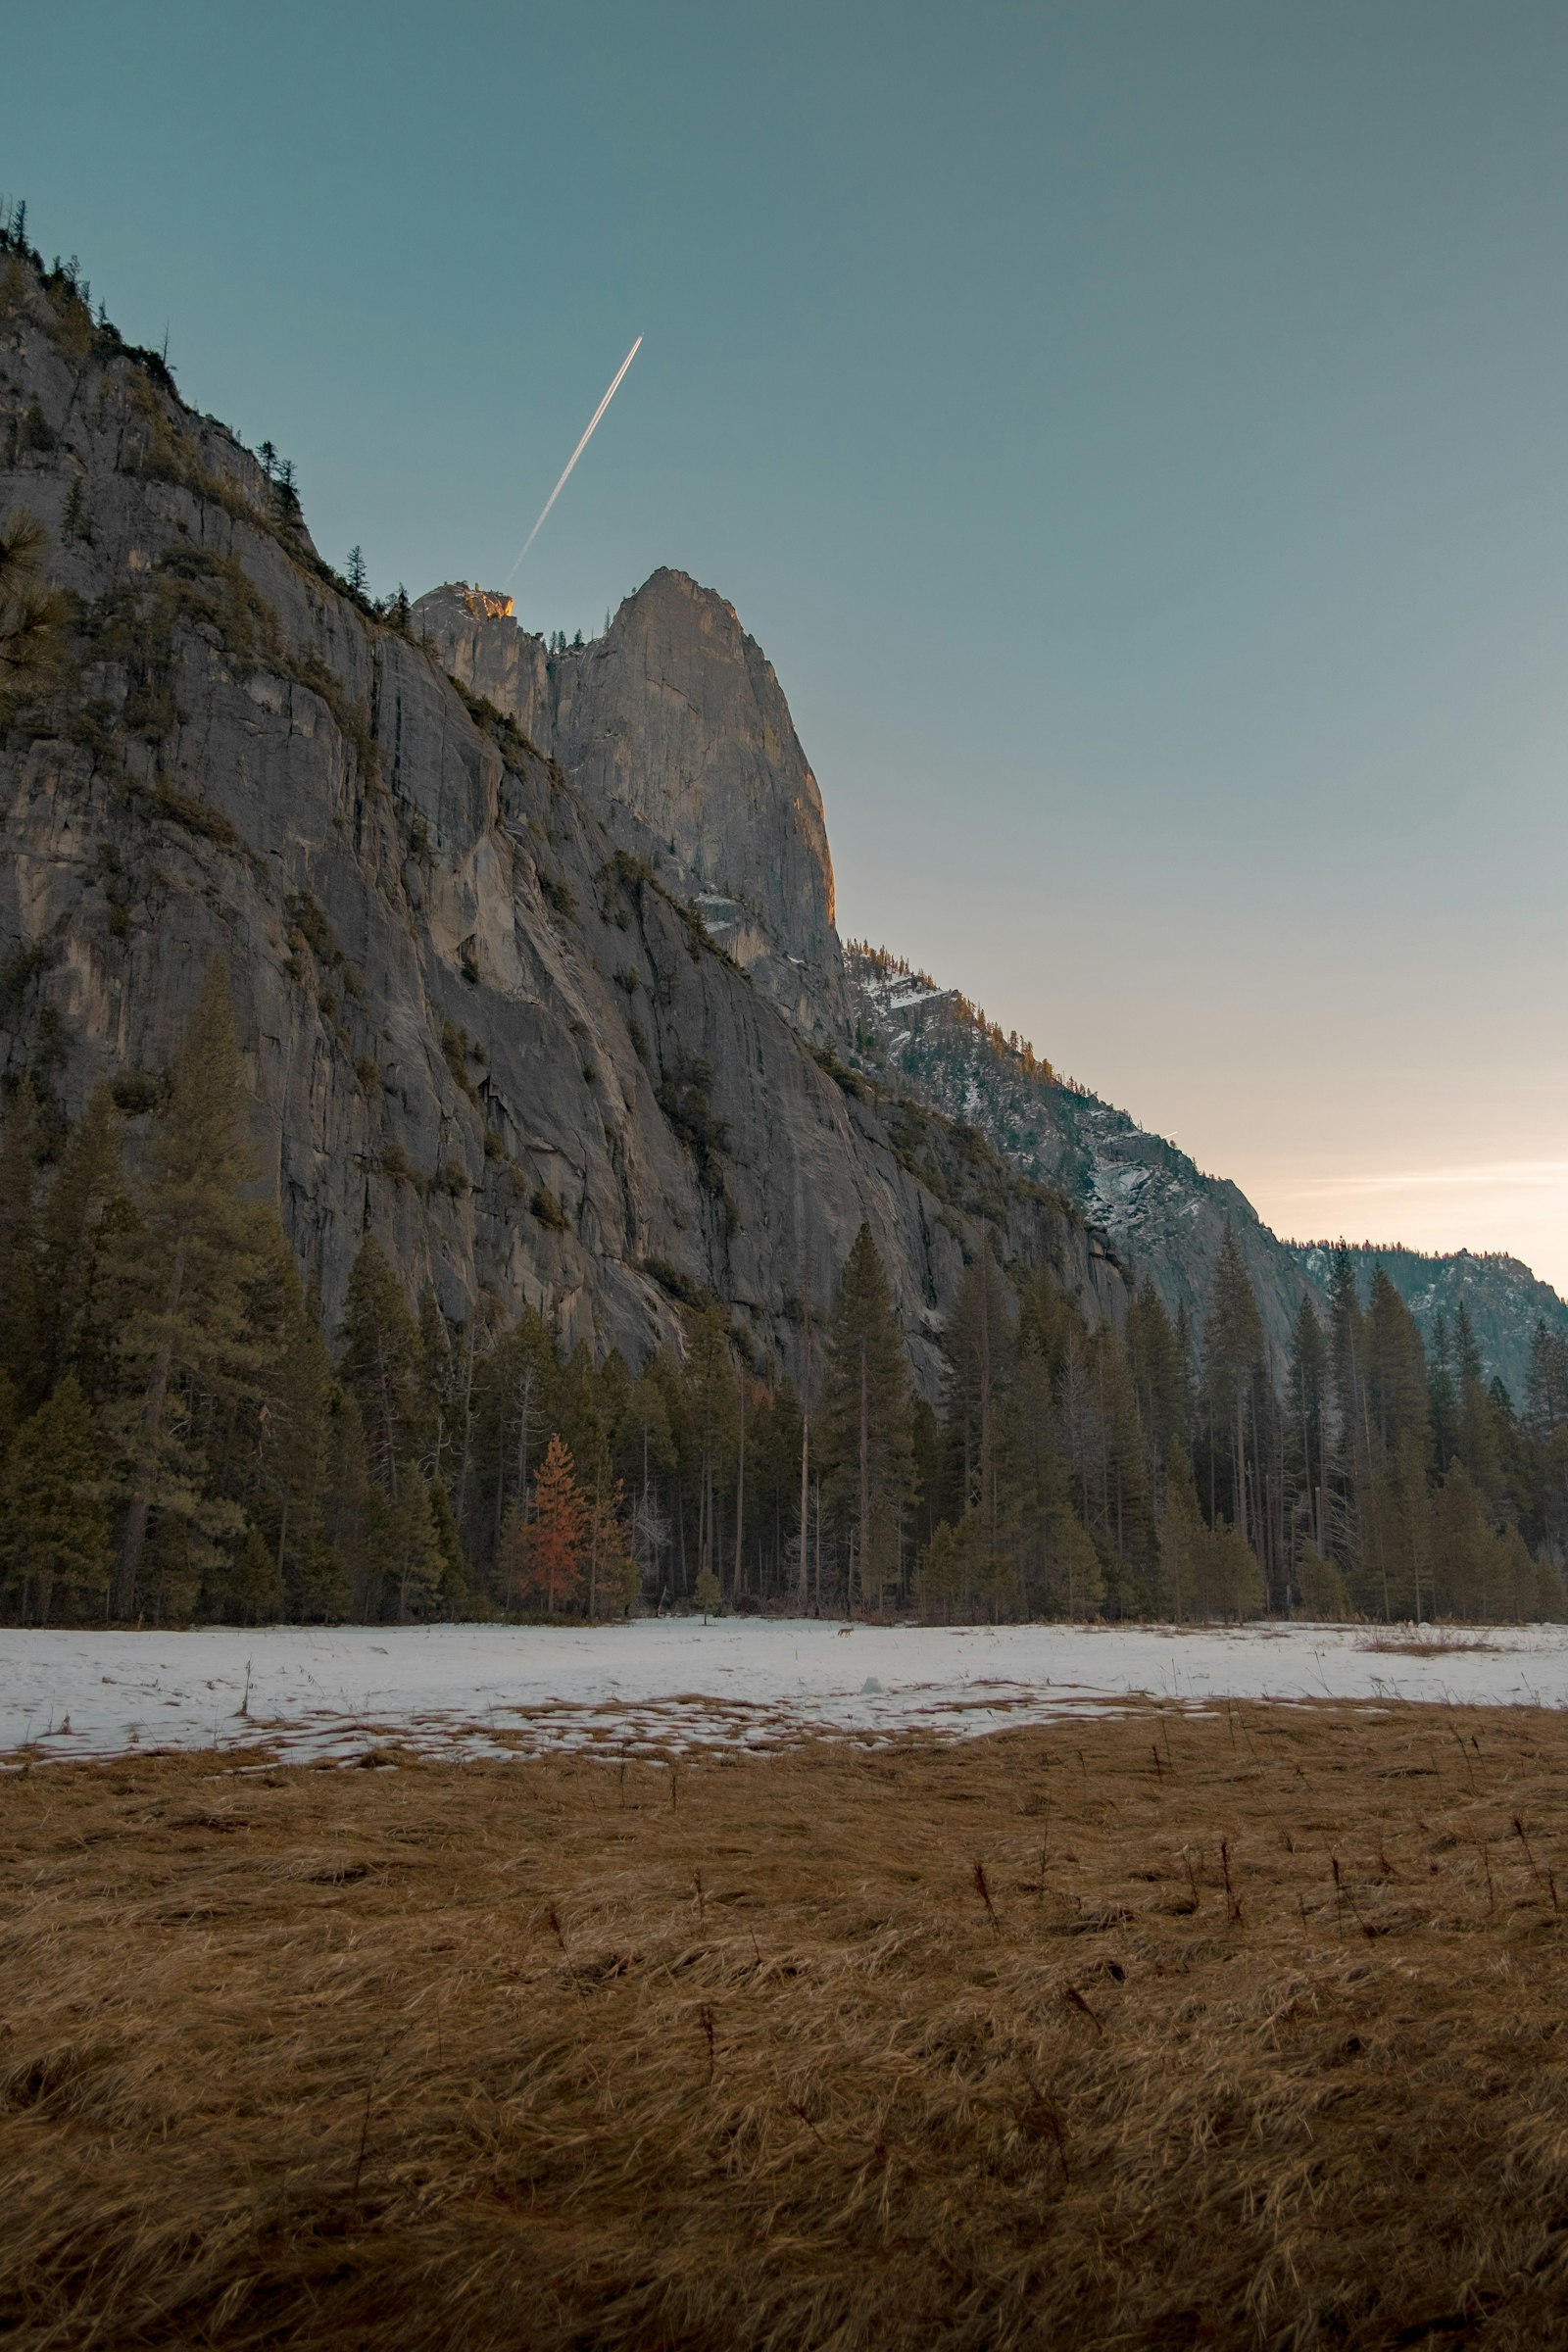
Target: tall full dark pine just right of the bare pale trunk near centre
<point>866,1424</point>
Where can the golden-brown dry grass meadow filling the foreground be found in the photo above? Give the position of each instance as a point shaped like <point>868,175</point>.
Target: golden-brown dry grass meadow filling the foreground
<point>1228,2031</point>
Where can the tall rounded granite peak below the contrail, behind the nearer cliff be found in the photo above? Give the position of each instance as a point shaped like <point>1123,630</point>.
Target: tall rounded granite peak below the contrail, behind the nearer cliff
<point>676,721</point>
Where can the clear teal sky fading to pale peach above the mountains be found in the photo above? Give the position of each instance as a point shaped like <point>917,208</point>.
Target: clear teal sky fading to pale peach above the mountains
<point>1137,432</point>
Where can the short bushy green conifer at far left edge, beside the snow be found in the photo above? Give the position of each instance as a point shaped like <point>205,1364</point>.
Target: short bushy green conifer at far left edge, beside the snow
<point>53,1521</point>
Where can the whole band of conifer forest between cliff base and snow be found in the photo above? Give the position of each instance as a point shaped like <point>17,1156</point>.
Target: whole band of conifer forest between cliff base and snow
<point>185,1438</point>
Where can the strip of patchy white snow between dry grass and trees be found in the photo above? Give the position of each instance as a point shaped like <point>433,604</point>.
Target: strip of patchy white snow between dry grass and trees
<point>669,1685</point>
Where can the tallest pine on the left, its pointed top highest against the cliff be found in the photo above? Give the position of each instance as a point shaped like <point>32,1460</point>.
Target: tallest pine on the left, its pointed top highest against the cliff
<point>182,1278</point>
